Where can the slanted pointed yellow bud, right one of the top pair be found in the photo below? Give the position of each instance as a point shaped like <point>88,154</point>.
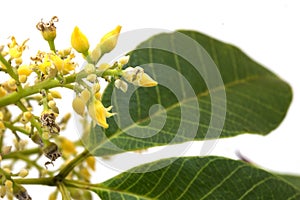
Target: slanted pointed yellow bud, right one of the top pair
<point>109,40</point>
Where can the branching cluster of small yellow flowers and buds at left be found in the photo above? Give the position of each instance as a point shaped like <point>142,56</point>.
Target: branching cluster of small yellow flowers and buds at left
<point>29,83</point>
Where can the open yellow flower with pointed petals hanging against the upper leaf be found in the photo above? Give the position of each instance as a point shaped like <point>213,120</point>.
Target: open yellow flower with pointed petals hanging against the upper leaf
<point>99,113</point>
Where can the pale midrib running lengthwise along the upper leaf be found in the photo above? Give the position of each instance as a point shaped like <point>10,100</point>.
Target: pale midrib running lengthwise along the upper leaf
<point>205,93</point>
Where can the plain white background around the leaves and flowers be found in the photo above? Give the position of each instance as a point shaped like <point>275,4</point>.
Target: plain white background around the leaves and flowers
<point>267,31</point>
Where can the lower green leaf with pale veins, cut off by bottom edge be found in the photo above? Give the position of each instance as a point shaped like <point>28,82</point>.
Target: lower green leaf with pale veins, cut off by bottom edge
<point>191,178</point>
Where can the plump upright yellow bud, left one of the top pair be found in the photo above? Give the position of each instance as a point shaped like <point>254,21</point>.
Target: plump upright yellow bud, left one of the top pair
<point>79,41</point>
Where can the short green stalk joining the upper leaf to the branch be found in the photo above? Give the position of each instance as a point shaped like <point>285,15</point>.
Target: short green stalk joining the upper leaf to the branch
<point>71,165</point>
